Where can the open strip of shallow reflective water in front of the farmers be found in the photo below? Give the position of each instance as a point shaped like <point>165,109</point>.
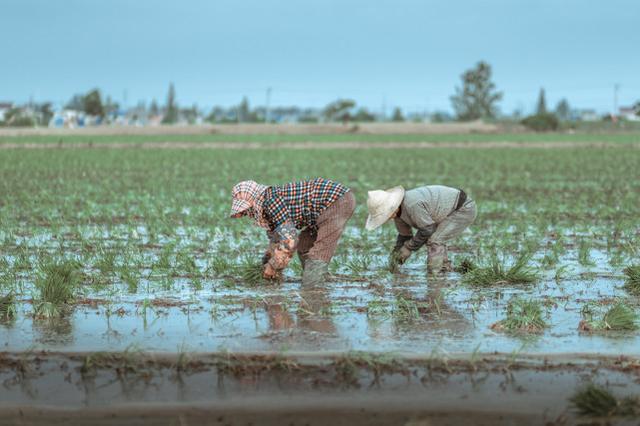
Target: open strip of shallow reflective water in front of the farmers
<point>407,312</point>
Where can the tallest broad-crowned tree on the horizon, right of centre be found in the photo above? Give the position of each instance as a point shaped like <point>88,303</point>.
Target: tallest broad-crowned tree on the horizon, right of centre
<point>478,96</point>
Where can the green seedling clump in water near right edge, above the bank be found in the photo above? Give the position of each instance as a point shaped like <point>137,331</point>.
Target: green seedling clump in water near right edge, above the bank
<point>620,317</point>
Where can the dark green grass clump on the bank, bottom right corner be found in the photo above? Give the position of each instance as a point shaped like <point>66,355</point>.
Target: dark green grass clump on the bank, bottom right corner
<point>596,401</point>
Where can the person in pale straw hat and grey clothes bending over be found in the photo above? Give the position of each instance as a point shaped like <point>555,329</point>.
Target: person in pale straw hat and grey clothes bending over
<point>439,213</point>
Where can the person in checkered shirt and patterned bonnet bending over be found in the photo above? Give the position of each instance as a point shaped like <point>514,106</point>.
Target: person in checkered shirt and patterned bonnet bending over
<point>319,208</point>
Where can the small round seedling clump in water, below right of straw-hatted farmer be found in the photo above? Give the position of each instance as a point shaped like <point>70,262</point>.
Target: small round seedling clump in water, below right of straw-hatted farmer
<point>523,316</point>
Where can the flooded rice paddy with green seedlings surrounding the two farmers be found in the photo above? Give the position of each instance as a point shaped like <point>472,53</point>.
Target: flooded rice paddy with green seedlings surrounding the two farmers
<point>154,268</point>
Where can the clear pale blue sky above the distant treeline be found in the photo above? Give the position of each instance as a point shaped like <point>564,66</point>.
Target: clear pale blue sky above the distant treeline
<point>405,53</point>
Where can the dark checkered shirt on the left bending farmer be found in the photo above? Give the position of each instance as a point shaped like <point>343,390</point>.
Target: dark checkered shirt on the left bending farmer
<point>300,202</point>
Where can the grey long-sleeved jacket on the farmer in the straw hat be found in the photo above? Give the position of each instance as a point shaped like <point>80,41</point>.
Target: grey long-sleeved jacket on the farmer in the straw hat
<point>423,208</point>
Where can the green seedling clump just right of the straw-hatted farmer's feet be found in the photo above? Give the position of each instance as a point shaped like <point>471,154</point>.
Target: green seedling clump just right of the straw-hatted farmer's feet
<point>497,273</point>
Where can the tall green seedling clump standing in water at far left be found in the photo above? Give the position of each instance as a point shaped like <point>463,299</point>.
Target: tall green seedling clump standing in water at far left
<point>56,286</point>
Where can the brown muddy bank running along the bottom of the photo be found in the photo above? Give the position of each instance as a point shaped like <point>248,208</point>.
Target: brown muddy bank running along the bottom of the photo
<point>348,389</point>
